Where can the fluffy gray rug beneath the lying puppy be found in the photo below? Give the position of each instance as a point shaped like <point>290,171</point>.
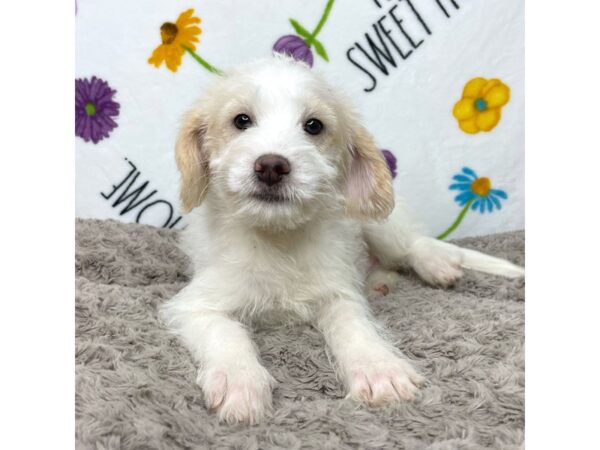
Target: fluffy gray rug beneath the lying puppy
<point>136,384</point>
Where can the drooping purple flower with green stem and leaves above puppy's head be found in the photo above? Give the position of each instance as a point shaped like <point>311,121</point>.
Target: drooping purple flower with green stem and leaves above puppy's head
<point>299,47</point>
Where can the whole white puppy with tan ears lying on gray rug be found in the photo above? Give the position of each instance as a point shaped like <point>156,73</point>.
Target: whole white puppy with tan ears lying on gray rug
<point>294,197</point>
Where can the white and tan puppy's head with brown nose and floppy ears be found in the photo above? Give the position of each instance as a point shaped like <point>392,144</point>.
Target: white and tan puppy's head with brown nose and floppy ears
<point>272,144</point>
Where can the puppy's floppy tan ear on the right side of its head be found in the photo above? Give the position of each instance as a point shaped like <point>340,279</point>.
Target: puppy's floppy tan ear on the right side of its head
<point>369,190</point>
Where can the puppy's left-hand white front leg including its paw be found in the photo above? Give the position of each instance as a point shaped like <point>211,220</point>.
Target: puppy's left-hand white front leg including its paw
<point>233,381</point>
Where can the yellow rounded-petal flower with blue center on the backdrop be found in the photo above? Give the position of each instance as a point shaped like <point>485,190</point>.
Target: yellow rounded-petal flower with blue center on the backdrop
<point>480,106</point>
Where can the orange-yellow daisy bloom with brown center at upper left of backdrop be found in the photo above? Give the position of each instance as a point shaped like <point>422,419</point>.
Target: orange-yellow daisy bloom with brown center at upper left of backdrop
<point>176,37</point>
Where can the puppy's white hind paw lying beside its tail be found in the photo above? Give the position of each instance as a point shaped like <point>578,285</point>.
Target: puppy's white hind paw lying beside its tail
<point>435,262</point>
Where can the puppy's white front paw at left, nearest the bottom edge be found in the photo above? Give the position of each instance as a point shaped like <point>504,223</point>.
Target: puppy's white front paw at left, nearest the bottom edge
<point>239,395</point>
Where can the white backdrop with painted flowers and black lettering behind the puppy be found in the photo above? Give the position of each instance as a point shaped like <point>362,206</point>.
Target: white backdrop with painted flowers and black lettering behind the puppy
<point>430,50</point>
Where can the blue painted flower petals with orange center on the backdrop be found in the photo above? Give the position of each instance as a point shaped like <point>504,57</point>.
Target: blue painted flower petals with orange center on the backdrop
<point>476,191</point>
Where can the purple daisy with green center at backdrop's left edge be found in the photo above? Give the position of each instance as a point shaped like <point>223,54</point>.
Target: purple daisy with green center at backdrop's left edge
<point>94,109</point>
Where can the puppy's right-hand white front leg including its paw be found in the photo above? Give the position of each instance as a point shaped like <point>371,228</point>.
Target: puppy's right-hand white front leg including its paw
<point>371,368</point>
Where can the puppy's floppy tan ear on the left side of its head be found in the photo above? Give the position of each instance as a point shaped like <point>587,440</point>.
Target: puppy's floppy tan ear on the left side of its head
<point>192,160</point>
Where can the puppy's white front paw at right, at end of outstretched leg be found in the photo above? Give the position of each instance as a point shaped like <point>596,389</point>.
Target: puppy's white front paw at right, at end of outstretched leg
<point>380,383</point>
